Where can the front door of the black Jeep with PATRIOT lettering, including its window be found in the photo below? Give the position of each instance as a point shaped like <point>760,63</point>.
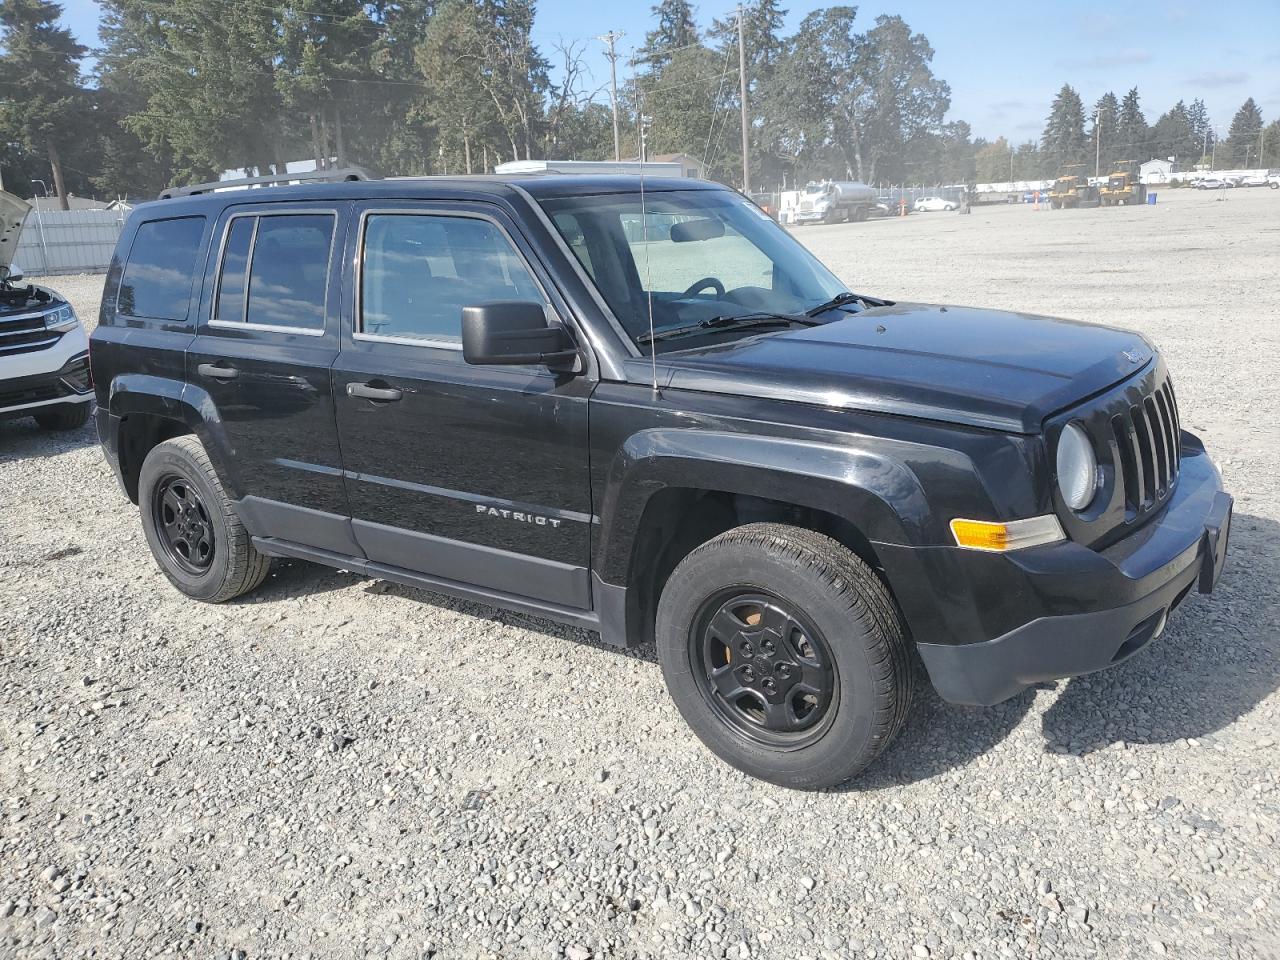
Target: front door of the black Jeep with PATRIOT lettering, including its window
<point>470,474</point>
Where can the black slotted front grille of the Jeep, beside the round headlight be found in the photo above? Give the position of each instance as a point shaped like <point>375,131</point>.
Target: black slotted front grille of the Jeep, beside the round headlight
<point>1148,440</point>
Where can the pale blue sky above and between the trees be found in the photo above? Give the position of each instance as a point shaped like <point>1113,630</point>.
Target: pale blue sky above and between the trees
<point>1005,61</point>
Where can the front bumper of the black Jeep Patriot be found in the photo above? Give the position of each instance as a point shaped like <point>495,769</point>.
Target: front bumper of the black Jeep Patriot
<point>1064,610</point>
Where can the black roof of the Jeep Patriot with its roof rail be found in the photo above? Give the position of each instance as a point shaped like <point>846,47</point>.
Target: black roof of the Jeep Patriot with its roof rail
<point>476,188</point>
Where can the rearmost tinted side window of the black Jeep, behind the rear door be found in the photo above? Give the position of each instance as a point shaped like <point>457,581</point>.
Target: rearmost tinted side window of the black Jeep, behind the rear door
<point>157,284</point>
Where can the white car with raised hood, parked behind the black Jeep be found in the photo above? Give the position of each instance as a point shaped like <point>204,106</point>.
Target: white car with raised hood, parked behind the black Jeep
<point>44,351</point>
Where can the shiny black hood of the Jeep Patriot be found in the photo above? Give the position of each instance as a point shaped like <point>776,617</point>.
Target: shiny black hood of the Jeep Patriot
<point>962,365</point>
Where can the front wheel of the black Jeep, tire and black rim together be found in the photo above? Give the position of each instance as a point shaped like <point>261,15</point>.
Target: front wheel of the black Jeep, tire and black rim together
<point>834,630</point>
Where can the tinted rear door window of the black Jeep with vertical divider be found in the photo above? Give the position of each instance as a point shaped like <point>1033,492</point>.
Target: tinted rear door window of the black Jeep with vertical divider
<point>276,271</point>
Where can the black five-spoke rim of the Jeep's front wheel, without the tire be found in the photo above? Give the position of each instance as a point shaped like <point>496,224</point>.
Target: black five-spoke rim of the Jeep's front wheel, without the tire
<point>764,668</point>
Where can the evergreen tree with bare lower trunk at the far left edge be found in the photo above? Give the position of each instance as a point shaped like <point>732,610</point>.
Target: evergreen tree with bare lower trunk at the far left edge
<point>43,104</point>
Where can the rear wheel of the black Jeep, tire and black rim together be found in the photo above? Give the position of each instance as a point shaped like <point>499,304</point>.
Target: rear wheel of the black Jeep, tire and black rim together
<point>179,472</point>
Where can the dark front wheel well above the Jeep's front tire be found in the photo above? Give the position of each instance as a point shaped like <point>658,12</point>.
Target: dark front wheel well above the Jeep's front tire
<point>679,520</point>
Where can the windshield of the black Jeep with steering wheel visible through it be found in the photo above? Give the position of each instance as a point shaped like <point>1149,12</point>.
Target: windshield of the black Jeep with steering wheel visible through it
<point>700,255</point>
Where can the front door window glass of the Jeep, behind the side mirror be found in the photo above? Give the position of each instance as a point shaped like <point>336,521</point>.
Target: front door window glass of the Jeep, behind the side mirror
<point>420,271</point>
